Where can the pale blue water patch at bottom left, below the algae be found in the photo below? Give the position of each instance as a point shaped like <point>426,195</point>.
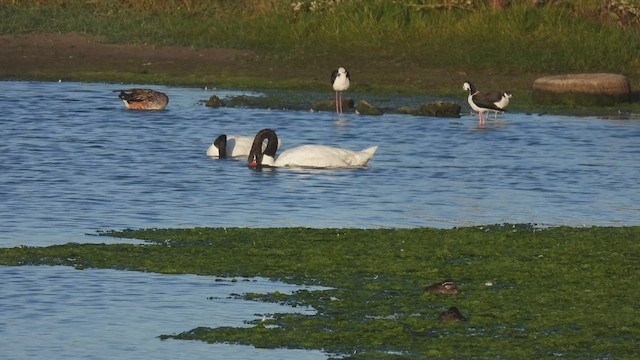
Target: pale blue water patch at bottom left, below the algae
<point>62,313</point>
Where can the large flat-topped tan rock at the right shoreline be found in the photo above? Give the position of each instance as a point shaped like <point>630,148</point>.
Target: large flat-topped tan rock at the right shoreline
<point>600,89</point>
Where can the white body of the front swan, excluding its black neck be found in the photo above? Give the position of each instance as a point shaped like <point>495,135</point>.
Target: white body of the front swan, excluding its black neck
<point>320,156</point>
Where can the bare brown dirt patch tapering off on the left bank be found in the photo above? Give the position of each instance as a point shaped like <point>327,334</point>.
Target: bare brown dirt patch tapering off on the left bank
<point>48,56</point>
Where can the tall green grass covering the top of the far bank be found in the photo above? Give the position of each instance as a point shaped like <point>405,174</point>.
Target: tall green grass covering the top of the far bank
<point>563,37</point>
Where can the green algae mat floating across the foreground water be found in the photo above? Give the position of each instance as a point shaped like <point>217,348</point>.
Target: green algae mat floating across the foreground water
<point>525,292</point>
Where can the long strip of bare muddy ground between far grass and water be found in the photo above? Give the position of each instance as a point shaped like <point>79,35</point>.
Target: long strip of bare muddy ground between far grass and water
<point>90,58</point>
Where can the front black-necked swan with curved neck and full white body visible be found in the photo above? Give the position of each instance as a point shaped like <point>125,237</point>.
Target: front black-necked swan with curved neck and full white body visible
<point>314,156</point>
